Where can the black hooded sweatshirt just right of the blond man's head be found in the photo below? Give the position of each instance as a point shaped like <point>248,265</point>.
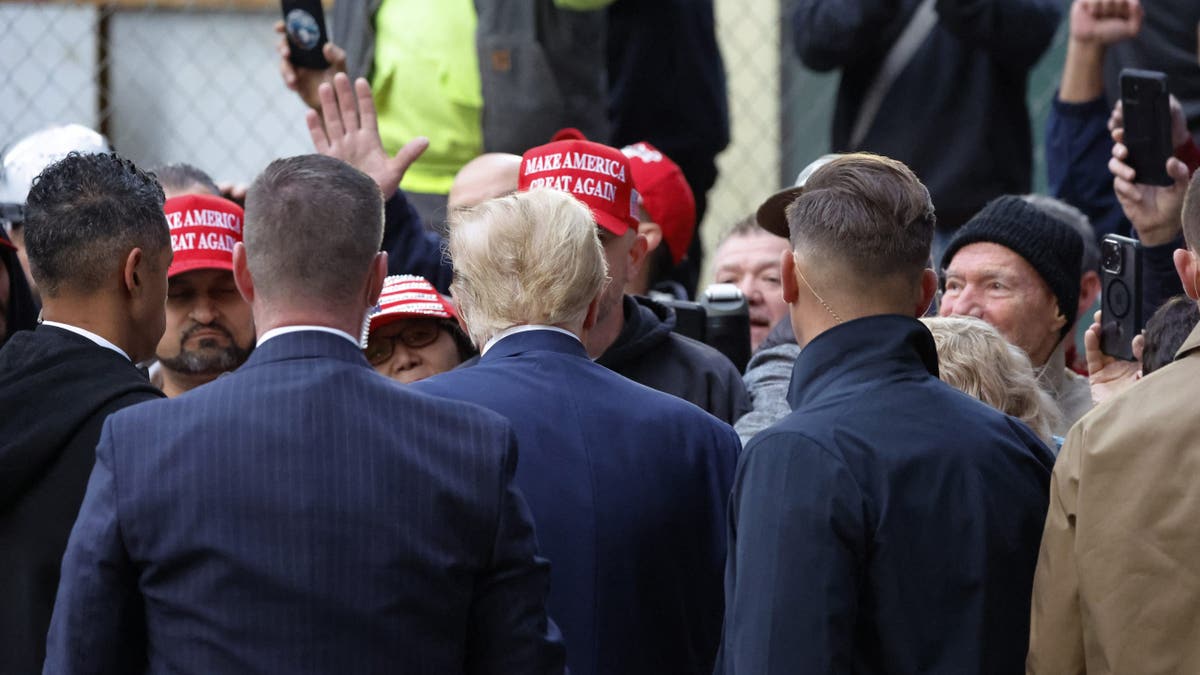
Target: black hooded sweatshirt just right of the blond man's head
<point>650,354</point>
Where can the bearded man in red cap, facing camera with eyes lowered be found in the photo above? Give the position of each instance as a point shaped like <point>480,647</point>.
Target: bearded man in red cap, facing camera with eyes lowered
<point>209,327</point>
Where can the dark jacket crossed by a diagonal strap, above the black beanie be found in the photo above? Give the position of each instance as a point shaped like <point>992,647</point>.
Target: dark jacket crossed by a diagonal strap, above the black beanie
<point>957,115</point>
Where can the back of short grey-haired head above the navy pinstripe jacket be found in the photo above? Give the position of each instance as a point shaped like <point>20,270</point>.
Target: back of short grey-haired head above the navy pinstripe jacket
<point>314,226</point>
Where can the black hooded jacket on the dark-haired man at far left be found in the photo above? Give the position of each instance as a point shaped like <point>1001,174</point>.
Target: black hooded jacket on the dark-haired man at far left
<point>57,389</point>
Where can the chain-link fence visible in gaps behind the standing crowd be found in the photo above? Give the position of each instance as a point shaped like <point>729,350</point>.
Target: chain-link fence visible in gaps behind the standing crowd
<point>197,81</point>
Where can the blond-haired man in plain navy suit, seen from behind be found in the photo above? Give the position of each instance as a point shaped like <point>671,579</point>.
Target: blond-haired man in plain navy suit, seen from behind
<point>627,486</point>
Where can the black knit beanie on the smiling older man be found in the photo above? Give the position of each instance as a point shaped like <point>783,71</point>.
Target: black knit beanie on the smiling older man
<point>1053,248</point>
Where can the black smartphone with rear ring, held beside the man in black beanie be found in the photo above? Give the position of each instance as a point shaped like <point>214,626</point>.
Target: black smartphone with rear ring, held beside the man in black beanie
<point>1120,296</point>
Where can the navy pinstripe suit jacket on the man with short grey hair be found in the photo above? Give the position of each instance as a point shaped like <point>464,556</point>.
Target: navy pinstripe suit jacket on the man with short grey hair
<point>304,515</point>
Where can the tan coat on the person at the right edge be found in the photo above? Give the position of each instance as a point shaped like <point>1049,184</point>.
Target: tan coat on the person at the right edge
<point>1118,586</point>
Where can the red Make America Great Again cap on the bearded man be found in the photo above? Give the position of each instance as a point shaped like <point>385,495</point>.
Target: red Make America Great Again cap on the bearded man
<point>203,232</point>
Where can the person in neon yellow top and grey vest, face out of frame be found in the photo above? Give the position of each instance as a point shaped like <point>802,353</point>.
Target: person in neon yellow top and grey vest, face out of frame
<point>473,77</point>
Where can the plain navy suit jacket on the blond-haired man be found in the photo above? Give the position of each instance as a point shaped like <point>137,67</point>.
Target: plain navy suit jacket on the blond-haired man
<point>628,488</point>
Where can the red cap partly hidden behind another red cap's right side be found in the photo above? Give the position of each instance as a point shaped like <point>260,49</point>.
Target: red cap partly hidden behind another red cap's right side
<point>665,195</point>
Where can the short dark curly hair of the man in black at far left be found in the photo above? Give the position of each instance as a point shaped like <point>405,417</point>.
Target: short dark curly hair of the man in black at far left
<point>85,213</point>
